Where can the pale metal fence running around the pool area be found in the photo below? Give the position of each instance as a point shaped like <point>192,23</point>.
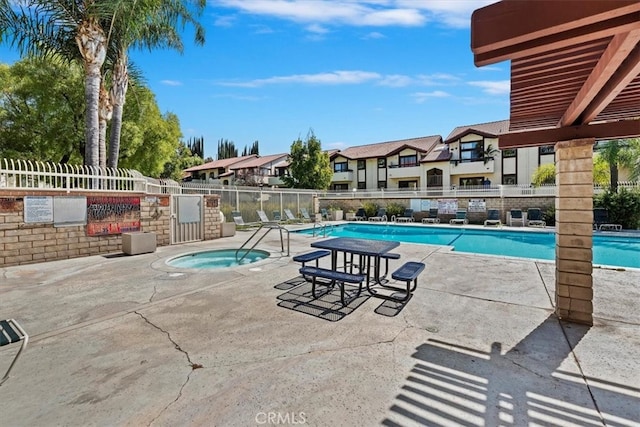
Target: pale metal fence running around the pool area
<point>30,175</point>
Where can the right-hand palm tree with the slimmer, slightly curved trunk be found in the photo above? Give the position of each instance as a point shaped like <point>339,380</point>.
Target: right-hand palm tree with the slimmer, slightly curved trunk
<point>143,24</point>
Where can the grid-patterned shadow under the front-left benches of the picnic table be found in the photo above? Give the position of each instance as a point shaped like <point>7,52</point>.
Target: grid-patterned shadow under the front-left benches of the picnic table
<point>327,306</point>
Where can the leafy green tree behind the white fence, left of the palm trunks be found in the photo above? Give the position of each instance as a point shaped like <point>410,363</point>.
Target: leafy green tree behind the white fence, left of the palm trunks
<point>42,111</point>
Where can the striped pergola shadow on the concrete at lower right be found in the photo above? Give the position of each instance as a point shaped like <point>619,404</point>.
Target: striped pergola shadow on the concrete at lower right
<point>451,384</point>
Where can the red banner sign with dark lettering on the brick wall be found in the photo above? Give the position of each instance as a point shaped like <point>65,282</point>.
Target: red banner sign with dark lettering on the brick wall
<point>112,215</point>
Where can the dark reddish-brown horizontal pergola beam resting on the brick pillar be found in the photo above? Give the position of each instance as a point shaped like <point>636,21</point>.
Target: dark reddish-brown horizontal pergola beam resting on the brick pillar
<point>609,130</point>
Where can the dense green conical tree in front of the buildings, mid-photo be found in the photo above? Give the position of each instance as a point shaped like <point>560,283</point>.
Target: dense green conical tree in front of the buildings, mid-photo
<point>309,166</point>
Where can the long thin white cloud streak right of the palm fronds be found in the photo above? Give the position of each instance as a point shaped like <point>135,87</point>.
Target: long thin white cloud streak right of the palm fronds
<point>332,78</point>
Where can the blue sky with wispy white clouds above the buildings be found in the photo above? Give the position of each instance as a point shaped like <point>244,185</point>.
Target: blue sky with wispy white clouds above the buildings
<point>354,71</point>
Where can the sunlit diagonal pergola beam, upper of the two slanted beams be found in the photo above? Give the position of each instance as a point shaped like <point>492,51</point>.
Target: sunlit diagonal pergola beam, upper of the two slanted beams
<point>614,55</point>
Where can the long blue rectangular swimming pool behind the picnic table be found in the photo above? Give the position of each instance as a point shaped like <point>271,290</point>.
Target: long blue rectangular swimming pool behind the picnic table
<point>609,250</point>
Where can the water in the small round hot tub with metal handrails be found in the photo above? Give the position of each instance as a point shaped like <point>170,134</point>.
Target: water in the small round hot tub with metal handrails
<point>217,259</point>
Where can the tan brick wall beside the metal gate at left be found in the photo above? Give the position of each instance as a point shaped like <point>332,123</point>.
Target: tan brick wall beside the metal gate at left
<point>25,243</point>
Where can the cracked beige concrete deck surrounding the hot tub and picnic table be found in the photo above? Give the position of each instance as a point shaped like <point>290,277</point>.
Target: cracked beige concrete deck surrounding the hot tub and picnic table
<point>122,340</point>
